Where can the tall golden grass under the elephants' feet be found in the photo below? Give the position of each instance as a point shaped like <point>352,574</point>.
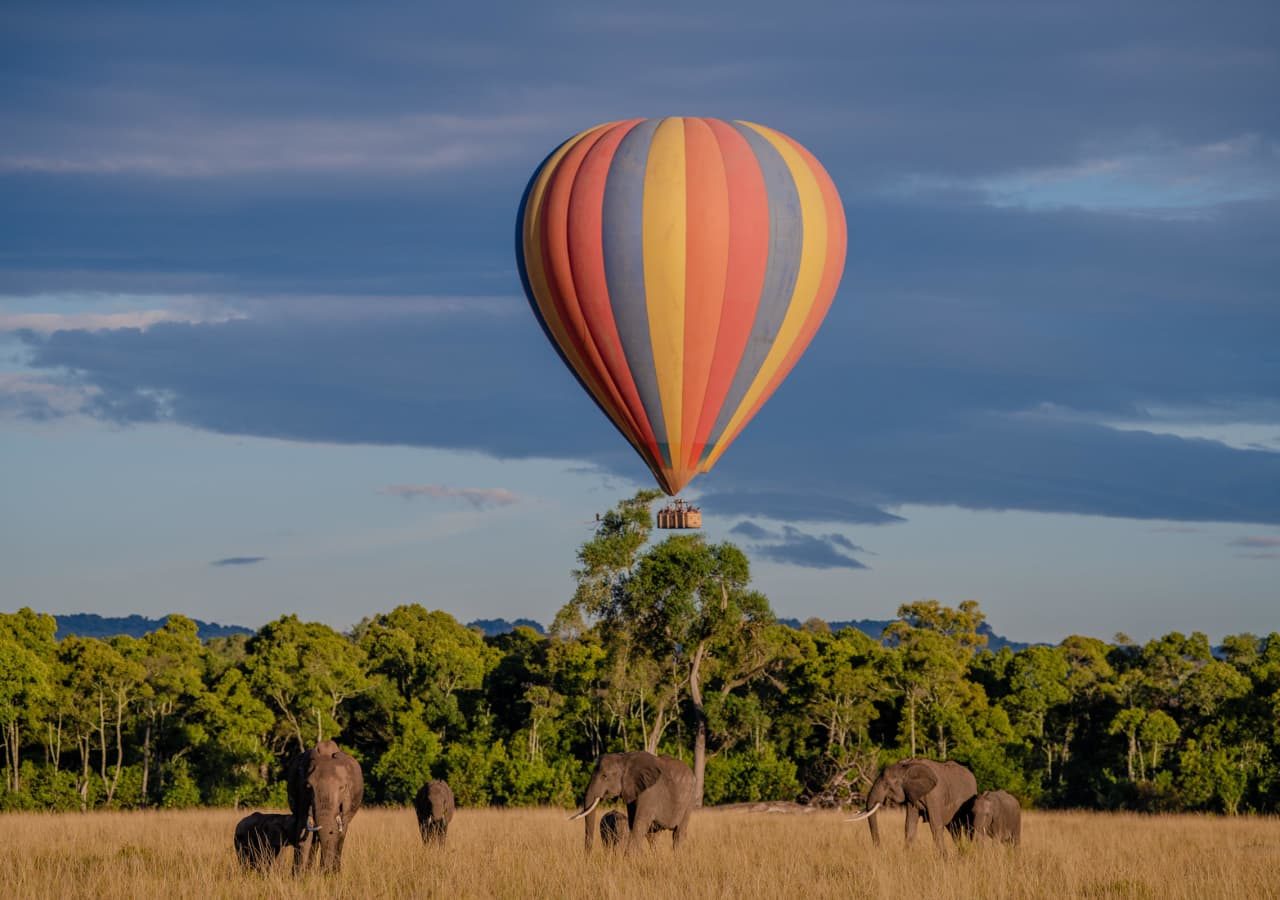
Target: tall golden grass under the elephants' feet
<point>537,853</point>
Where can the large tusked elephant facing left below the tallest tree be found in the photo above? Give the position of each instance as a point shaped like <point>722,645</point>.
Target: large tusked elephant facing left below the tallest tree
<point>659,793</point>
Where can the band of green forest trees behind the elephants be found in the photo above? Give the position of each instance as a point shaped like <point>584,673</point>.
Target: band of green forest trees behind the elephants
<point>664,646</point>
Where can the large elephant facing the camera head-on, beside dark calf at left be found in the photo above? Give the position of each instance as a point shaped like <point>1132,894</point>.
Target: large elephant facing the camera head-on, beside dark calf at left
<point>326,791</point>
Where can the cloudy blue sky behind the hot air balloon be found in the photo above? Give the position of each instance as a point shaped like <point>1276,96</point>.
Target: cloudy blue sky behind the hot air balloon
<point>263,346</point>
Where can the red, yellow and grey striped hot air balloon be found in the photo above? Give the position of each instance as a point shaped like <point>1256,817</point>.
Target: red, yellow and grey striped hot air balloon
<point>680,267</point>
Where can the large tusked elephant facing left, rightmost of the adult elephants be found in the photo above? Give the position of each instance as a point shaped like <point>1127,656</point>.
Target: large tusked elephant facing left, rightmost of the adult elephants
<point>935,792</point>
